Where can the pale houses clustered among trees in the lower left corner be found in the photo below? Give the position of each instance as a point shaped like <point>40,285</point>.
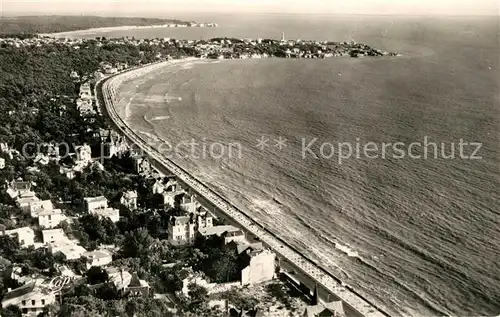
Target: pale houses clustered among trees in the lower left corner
<point>36,292</point>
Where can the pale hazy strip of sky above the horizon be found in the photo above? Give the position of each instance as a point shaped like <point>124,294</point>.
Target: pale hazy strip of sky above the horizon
<point>162,8</point>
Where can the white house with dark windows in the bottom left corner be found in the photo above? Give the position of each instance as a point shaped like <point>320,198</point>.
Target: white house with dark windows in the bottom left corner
<point>30,299</point>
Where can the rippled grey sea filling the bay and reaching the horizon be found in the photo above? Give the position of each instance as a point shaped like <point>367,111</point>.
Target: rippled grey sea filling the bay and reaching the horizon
<point>419,233</point>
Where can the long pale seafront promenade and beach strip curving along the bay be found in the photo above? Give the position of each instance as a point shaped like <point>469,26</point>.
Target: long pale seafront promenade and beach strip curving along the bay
<point>308,271</point>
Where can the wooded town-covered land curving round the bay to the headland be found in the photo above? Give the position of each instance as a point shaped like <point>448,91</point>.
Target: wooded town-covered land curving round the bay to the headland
<point>91,224</point>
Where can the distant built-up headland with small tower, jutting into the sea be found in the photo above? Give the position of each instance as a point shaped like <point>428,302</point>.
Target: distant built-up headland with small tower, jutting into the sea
<point>221,48</point>
